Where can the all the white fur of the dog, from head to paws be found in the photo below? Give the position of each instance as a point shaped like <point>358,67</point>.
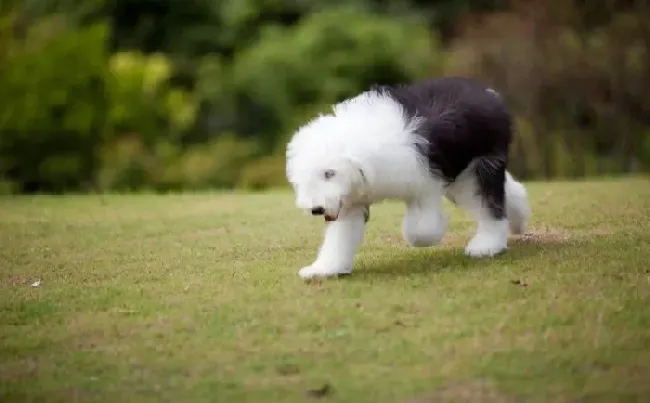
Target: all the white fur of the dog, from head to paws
<point>364,153</point>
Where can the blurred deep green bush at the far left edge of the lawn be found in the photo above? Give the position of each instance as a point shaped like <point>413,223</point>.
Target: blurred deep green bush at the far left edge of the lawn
<point>52,104</point>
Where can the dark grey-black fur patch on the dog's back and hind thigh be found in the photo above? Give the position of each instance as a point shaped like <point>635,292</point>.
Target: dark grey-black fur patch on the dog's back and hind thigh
<point>464,124</point>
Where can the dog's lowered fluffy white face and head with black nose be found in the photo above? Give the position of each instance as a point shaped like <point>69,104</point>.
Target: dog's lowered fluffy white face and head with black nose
<point>325,178</point>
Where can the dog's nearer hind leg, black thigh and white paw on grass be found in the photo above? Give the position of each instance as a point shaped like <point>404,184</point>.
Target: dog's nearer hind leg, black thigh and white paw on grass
<point>480,190</point>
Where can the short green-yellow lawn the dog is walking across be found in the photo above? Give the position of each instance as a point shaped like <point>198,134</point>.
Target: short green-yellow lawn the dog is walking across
<point>195,298</point>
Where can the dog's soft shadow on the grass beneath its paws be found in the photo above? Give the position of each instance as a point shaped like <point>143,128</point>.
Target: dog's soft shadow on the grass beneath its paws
<point>428,261</point>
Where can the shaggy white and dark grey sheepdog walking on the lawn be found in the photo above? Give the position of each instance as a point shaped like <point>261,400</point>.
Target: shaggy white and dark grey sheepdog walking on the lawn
<point>443,137</point>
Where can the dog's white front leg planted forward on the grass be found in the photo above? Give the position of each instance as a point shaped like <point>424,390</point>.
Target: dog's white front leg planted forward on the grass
<point>343,238</point>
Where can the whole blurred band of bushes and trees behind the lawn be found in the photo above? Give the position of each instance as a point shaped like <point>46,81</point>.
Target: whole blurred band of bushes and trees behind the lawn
<point>101,95</point>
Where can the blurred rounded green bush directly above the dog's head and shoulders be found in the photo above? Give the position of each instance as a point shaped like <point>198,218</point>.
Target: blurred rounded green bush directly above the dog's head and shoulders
<point>324,58</point>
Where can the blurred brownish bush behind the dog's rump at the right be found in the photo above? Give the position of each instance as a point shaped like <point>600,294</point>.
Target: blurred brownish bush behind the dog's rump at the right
<point>580,85</point>
